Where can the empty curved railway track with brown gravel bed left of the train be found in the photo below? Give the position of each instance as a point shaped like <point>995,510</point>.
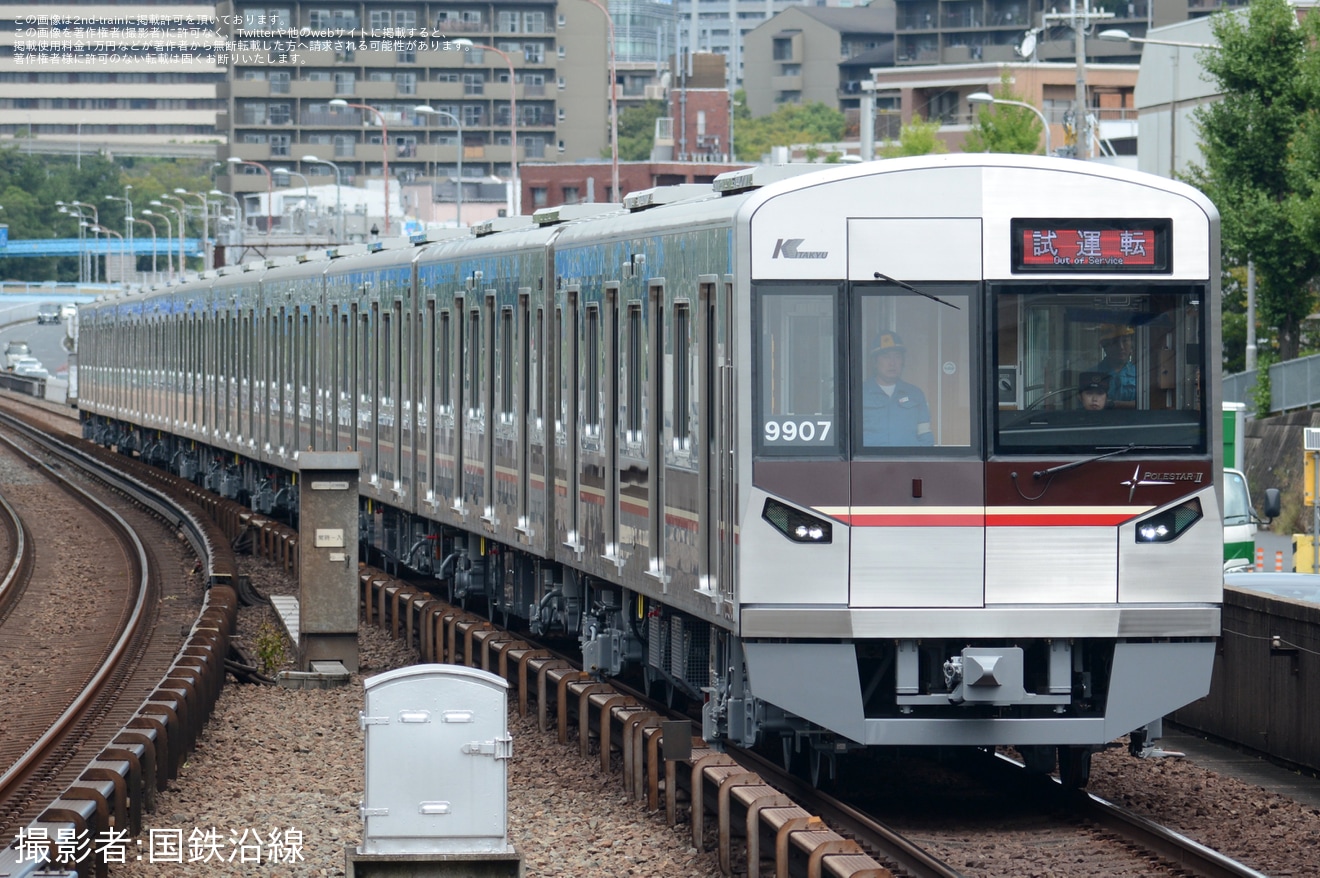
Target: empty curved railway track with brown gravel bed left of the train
<point>108,671</point>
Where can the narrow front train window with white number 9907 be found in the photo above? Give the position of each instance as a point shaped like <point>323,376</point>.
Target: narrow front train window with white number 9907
<point>797,361</point>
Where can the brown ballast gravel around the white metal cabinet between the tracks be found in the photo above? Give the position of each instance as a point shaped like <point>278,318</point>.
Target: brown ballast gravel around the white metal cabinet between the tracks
<point>274,760</point>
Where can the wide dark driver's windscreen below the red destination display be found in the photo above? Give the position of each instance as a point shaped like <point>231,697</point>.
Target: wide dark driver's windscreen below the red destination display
<point>1087,368</point>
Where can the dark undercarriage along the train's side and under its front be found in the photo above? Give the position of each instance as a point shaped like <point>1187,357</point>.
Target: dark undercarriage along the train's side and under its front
<point>901,685</point>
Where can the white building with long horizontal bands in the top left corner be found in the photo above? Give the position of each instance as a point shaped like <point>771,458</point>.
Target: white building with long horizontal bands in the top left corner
<point>123,77</point>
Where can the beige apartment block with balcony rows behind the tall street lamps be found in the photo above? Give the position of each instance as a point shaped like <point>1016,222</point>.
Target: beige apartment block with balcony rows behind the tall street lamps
<point>343,83</point>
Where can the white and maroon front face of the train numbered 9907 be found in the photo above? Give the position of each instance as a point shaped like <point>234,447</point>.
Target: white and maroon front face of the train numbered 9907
<point>980,502</point>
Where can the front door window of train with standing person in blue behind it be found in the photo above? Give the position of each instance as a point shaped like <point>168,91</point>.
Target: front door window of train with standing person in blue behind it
<point>913,386</point>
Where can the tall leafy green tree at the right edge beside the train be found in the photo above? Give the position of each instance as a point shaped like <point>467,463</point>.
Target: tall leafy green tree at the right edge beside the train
<point>1263,156</point>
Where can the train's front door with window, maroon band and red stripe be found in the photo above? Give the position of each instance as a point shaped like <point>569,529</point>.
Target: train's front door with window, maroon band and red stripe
<point>917,479</point>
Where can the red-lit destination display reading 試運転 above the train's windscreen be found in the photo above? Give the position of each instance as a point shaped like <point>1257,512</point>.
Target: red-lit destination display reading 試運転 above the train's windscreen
<point>1092,246</point>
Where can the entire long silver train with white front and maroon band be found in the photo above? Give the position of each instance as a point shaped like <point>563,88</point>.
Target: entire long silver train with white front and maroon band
<point>822,451</point>
